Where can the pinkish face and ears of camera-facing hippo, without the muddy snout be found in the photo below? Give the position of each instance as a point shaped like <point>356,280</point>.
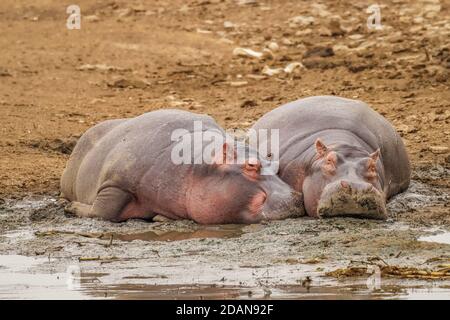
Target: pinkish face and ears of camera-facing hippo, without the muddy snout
<point>332,171</point>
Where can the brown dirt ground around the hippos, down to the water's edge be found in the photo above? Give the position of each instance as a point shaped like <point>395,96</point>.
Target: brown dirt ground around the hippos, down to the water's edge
<point>130,57</point>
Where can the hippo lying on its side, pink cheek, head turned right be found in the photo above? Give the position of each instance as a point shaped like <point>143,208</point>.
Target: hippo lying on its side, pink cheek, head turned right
<point>122,169</point>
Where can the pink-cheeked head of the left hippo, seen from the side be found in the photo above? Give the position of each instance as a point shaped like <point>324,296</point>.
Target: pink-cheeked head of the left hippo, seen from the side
<point>231,191</point>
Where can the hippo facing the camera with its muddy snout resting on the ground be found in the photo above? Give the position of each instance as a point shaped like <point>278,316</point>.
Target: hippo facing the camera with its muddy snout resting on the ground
<point>344,157</point>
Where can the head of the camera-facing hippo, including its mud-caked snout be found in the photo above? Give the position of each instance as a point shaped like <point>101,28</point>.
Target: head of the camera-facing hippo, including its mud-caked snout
<point>344,180</point>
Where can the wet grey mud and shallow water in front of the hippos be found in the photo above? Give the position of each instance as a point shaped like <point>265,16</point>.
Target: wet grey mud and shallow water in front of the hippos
<point>52,254</point>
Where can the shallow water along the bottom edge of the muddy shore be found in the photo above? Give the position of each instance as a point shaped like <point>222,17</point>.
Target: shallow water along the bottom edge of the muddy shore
<point>27,278</point>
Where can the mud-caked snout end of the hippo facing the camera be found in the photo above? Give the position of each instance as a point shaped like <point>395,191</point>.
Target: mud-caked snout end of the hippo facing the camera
<point>352,199</point>
